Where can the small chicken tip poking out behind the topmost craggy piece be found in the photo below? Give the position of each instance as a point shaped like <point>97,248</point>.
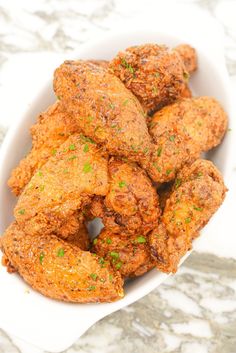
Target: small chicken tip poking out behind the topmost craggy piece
<point>189,56</point>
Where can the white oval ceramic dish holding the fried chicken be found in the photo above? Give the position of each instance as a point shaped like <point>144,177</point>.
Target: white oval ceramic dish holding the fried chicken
<point>53,325</point>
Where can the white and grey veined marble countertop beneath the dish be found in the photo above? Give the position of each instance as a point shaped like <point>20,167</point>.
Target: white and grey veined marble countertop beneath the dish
<point>193,311</point>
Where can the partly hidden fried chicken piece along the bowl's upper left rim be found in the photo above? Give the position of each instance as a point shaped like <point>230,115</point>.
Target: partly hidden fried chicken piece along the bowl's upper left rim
<point>53,127</point>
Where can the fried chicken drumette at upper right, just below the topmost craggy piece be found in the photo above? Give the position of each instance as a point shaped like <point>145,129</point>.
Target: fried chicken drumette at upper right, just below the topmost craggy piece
<point>182,131</point>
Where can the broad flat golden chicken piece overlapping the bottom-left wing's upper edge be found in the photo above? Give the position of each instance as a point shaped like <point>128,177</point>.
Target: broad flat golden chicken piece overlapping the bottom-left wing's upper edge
<point>63,185</point>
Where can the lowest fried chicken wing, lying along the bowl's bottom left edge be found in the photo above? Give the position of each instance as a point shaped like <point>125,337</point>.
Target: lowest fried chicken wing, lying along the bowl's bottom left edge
<point>60,270</point>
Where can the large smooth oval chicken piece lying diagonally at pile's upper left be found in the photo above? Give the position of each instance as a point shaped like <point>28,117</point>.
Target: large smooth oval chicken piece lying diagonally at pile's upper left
<point>104,109</point>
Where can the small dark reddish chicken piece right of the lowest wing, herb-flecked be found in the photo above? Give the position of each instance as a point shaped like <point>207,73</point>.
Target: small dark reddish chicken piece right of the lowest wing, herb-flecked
<point>128,254</point>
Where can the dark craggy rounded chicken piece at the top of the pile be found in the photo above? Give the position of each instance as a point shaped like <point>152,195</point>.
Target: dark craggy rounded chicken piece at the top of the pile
<point>155,74</point>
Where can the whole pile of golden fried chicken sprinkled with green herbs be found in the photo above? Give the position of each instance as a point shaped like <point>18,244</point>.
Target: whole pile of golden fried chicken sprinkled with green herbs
<point>123,143</point>
